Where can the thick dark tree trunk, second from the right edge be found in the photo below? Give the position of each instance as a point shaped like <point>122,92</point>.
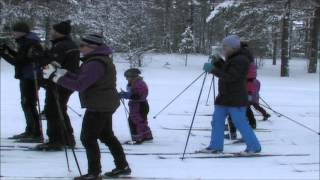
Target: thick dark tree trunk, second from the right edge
<point>285,41</point>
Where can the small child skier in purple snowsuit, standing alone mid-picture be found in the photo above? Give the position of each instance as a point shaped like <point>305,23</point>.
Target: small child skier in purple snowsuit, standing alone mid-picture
<point>137,92</point>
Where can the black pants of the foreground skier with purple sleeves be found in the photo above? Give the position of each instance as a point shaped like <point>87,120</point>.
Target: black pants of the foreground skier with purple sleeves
<point>98,125</point>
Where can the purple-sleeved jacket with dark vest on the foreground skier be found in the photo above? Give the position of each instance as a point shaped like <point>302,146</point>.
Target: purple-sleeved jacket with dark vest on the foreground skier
<point>95,81</point>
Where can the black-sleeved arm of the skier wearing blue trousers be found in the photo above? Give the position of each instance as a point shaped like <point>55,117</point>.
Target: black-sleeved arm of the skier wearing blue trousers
<point>237,69</point>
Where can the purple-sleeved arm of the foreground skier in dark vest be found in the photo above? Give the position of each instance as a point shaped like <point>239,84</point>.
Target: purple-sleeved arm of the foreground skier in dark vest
<point>88,75</point>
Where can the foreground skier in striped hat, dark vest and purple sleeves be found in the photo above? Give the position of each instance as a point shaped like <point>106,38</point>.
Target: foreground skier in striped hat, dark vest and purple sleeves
<point>96,83</point>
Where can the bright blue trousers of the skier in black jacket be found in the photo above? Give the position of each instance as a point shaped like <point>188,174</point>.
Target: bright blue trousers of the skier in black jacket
<point>239,119</point>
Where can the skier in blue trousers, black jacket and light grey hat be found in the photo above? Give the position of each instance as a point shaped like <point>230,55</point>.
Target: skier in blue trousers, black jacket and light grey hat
<point>232,98</point>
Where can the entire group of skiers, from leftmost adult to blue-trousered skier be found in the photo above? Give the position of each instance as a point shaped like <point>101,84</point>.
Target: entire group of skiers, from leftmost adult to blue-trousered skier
<point>60,72</point>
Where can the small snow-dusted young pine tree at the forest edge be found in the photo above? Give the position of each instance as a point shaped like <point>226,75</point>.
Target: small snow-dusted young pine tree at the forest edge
<point>187,43</point>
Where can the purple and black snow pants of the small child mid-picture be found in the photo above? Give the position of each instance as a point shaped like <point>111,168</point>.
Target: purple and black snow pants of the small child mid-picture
<point>138,121</point>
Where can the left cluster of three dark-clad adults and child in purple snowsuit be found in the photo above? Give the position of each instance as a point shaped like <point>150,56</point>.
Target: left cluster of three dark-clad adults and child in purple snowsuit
<point>60,71</point>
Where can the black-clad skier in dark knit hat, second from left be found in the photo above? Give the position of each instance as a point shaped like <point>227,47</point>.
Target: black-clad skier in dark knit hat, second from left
<point>65,52</point>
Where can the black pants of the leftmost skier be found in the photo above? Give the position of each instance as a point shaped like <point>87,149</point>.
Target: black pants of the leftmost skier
<point>29,106</point>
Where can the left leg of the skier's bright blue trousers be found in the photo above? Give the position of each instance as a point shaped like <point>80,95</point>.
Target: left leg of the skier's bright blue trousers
<point>217,133</point>
